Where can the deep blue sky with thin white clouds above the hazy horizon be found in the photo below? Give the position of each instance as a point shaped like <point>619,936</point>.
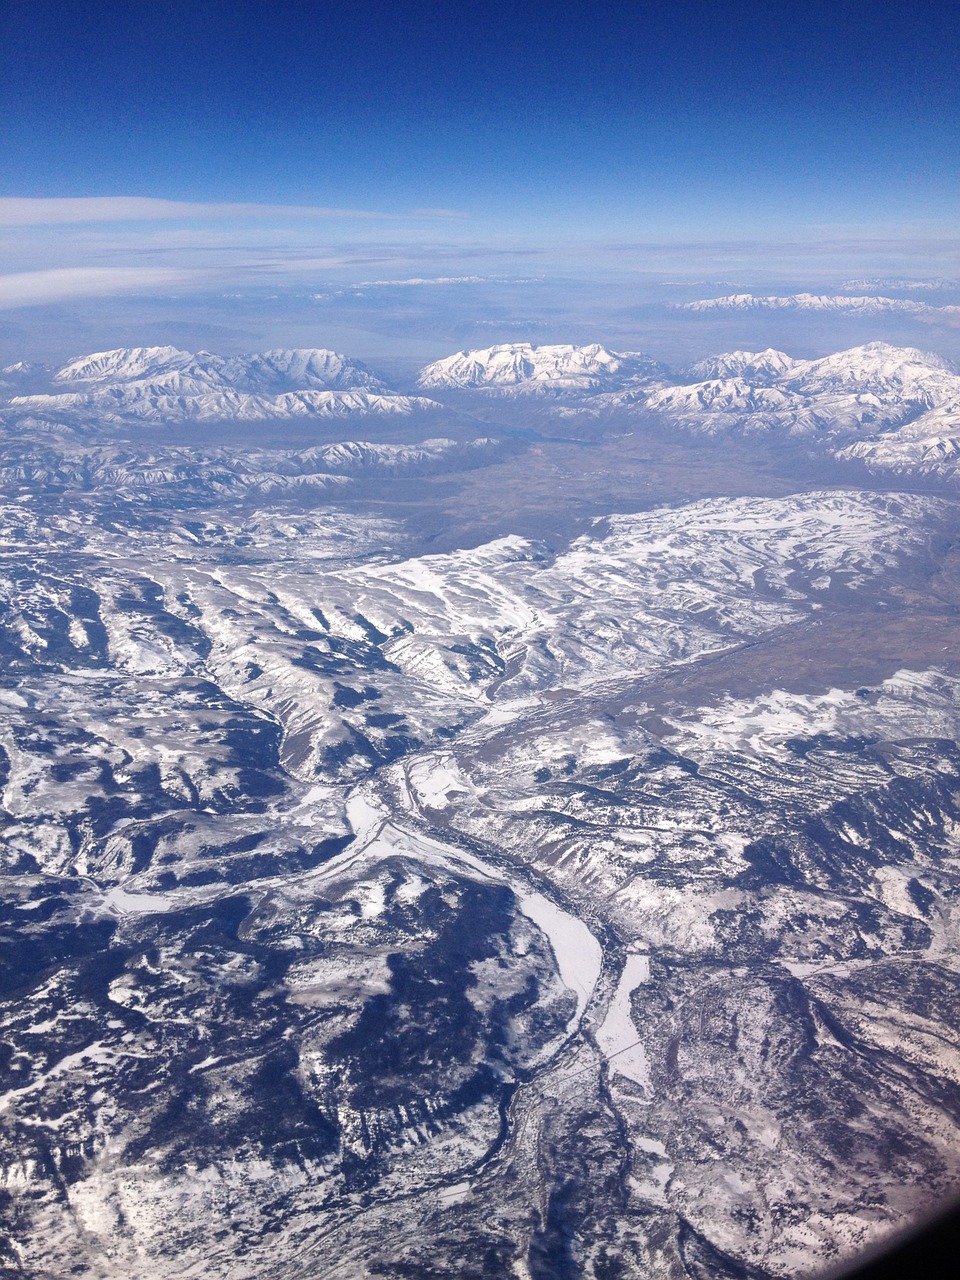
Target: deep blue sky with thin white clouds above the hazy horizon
<point>445,131</point>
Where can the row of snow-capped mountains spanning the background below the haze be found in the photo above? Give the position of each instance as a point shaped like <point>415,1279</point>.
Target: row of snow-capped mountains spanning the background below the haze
<point>889,408</point>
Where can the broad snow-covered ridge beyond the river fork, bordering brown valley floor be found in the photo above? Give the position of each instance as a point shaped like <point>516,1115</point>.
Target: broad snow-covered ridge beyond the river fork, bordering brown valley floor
<point>646,589</point>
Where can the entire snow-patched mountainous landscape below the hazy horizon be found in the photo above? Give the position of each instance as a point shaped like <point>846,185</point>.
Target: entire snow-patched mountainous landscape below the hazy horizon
<point>493,817</point>
